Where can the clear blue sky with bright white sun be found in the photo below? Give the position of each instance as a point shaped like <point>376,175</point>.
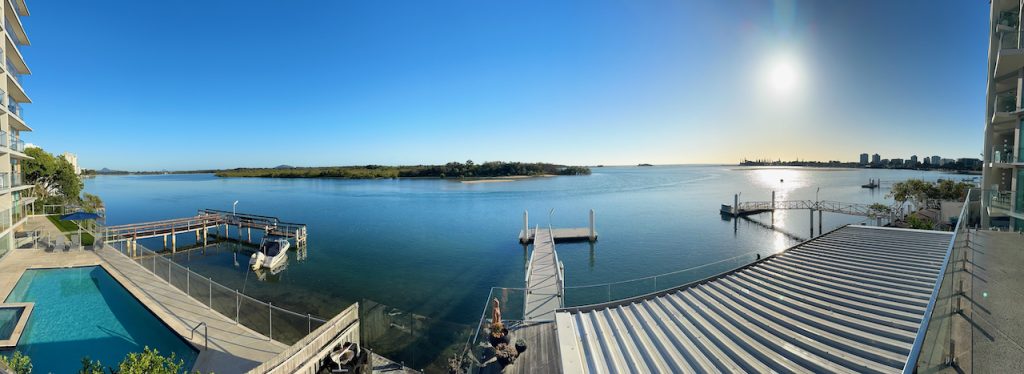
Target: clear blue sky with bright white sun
<point>174,86</point>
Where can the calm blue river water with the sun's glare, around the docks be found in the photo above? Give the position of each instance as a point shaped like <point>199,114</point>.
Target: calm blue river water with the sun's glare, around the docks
<point>435,248</point>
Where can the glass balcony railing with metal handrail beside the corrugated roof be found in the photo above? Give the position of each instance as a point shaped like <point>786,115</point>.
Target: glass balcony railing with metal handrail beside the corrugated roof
<point>932,348</point>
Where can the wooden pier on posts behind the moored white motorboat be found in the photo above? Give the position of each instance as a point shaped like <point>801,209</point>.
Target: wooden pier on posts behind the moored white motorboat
<point>202,224</point>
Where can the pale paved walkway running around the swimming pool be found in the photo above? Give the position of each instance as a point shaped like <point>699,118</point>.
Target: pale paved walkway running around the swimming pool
<point>233,349</point>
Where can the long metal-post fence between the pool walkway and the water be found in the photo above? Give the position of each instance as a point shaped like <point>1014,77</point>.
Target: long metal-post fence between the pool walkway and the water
<point>274,322</point>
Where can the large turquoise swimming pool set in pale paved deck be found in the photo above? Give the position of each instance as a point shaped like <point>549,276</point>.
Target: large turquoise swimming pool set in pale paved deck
<point>83,312</point>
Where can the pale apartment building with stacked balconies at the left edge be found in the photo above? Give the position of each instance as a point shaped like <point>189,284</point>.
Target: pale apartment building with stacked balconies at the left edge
<point>14,193</point>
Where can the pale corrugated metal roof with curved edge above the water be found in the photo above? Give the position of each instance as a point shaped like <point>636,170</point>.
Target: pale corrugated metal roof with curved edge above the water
<point>848,302</point>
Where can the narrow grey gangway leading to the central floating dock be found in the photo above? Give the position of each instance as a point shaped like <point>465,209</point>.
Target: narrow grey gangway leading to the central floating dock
<point>544,280</point>
